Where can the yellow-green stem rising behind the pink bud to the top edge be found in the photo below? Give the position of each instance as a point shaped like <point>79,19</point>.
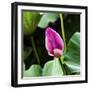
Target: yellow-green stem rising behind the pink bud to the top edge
<point>62,29</point>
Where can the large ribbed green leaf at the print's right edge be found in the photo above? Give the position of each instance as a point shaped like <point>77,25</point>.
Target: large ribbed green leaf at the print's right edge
<point>72,55</point>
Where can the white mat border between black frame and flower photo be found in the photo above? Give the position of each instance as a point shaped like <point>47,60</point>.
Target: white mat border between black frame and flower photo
<point>82,46</point>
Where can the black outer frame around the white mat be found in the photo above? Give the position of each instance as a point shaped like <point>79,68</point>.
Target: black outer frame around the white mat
<point>14,43</point>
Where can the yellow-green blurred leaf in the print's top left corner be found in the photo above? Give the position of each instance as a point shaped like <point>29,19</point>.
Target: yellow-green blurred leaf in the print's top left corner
<point>30,21</point>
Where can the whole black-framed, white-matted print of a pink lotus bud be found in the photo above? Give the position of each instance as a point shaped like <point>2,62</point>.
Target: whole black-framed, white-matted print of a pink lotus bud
<point>49,44</point>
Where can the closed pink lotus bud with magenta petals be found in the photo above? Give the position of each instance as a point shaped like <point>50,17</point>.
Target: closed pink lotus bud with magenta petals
<point>54,43</point>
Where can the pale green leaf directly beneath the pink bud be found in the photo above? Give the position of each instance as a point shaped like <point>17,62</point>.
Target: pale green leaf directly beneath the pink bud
<point>52,68</point>
